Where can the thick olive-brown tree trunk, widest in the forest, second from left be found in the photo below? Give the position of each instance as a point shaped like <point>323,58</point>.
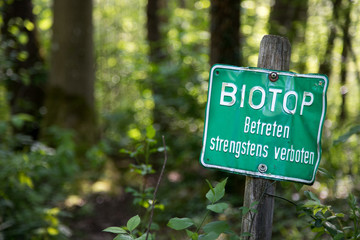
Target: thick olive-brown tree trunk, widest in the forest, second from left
<point>70,99</point>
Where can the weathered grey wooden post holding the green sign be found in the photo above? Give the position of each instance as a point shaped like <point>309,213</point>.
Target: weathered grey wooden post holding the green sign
<point>274,54</point>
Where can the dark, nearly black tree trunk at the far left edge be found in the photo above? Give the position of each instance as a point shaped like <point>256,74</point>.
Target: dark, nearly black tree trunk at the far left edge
<point>24,71</point>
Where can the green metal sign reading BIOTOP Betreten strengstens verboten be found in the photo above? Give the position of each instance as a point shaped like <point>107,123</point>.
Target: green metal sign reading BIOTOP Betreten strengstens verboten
<point>264,123</point>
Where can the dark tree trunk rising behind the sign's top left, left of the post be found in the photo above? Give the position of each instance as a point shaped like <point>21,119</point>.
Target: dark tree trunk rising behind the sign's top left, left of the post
<point>225,32</point>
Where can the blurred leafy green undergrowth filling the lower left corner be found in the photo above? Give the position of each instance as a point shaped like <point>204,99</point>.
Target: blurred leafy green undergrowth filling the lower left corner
<point>31,182</point>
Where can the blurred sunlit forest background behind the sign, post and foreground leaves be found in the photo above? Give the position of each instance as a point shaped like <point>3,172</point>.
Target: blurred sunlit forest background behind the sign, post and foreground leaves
<point>87,89</point>
